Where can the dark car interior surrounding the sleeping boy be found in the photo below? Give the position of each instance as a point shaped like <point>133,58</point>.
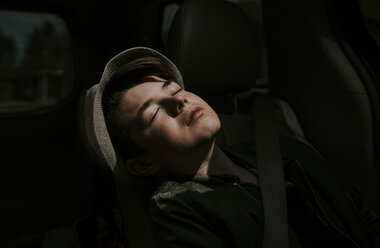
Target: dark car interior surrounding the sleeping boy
<point>318,60</point>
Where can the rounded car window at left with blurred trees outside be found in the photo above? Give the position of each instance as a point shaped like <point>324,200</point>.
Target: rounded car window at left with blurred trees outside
<point>36,64</point>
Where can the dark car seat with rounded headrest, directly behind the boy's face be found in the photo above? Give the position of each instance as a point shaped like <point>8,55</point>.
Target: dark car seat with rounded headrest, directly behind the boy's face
<point>215,46</point>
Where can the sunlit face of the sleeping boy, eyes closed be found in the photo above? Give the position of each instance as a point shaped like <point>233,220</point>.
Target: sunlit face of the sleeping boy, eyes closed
<point>175,127</point>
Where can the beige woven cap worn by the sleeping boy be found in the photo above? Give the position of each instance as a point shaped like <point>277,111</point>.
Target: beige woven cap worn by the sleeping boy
<point>96,129</point>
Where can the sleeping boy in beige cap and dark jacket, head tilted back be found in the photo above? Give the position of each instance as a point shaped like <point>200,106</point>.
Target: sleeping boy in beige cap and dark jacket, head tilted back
<point>206,196</point>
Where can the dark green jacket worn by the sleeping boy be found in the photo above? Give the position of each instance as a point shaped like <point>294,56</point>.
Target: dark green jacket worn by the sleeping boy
<point>213,212</point>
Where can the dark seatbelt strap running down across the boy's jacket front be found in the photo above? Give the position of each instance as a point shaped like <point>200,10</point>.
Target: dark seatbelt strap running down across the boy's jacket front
<point>271,174</point>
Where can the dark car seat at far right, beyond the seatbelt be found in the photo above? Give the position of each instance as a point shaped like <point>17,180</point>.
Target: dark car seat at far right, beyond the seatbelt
<point>316,69</point>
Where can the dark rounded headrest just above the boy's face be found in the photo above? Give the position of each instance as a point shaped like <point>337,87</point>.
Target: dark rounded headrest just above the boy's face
<point>214,45</point>
